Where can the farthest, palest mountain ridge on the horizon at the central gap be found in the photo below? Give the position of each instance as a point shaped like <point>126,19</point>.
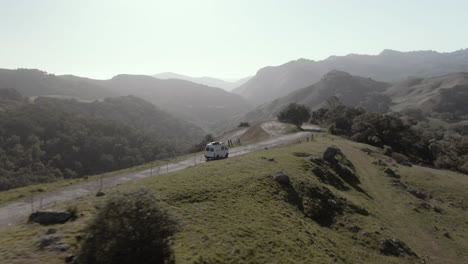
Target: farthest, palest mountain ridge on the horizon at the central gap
<point>209,81</point>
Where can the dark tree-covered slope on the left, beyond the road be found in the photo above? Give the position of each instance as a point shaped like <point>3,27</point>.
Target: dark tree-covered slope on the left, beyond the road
<point>52,139</point>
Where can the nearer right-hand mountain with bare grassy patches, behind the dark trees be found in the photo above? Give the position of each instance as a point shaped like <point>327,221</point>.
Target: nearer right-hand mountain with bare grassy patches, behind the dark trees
<point>446,94</point>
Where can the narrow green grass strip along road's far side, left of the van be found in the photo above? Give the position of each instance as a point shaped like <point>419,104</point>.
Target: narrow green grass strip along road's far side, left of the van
<point>28,191</point>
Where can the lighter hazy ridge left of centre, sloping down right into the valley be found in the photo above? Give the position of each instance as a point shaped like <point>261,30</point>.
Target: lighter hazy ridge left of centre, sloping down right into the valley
<point>201,104</point>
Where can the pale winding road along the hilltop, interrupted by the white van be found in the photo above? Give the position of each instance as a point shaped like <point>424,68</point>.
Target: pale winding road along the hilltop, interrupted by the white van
<point>13,212</point>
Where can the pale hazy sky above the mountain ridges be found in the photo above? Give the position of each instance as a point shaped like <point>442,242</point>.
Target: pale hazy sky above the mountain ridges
<point>228,39</point>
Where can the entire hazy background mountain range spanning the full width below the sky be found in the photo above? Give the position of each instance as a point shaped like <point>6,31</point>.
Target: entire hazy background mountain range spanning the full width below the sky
<point>389,81</point>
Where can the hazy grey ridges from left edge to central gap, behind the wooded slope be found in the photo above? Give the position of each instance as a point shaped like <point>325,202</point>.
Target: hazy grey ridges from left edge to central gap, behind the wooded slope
<point>199,104</point>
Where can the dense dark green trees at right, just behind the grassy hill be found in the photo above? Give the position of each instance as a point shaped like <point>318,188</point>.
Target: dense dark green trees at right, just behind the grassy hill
<point>444,148</point>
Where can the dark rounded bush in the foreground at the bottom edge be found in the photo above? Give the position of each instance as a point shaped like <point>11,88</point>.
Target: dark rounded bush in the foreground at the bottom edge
<point>130,228</point>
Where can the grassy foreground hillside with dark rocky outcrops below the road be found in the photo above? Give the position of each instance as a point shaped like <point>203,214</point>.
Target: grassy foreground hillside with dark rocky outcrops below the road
<point>233,211</point>
